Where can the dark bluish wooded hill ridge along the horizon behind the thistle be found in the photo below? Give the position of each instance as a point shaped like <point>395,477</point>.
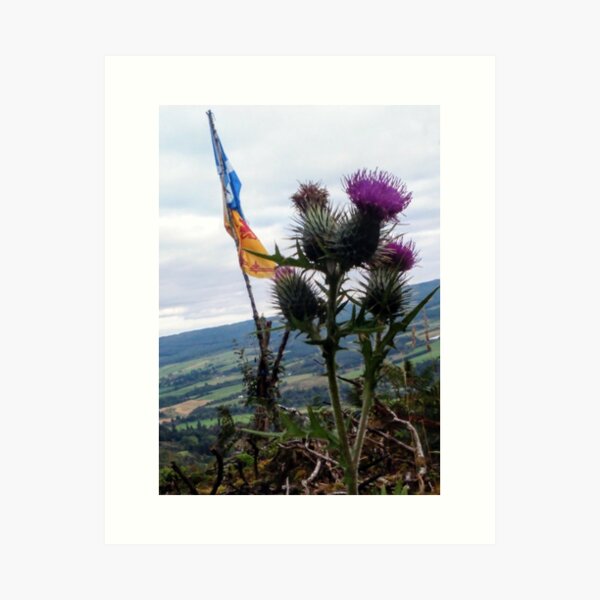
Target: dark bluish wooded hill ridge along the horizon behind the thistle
<point>215,340</point>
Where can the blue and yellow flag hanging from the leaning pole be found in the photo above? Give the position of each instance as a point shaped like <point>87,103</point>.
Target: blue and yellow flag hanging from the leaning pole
<point>235,222</point>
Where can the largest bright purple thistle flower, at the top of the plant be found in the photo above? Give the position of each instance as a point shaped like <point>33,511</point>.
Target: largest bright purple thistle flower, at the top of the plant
<point>377,192</point>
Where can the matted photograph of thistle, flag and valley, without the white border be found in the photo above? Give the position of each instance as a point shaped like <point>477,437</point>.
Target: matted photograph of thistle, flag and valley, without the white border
<point>299,317</point>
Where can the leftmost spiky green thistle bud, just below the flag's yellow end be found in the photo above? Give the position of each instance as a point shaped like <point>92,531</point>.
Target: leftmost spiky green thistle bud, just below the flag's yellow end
<point>295,297</point>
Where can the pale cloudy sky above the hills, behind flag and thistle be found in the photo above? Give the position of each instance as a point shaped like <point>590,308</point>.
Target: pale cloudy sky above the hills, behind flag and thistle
<point>272,149</point>
